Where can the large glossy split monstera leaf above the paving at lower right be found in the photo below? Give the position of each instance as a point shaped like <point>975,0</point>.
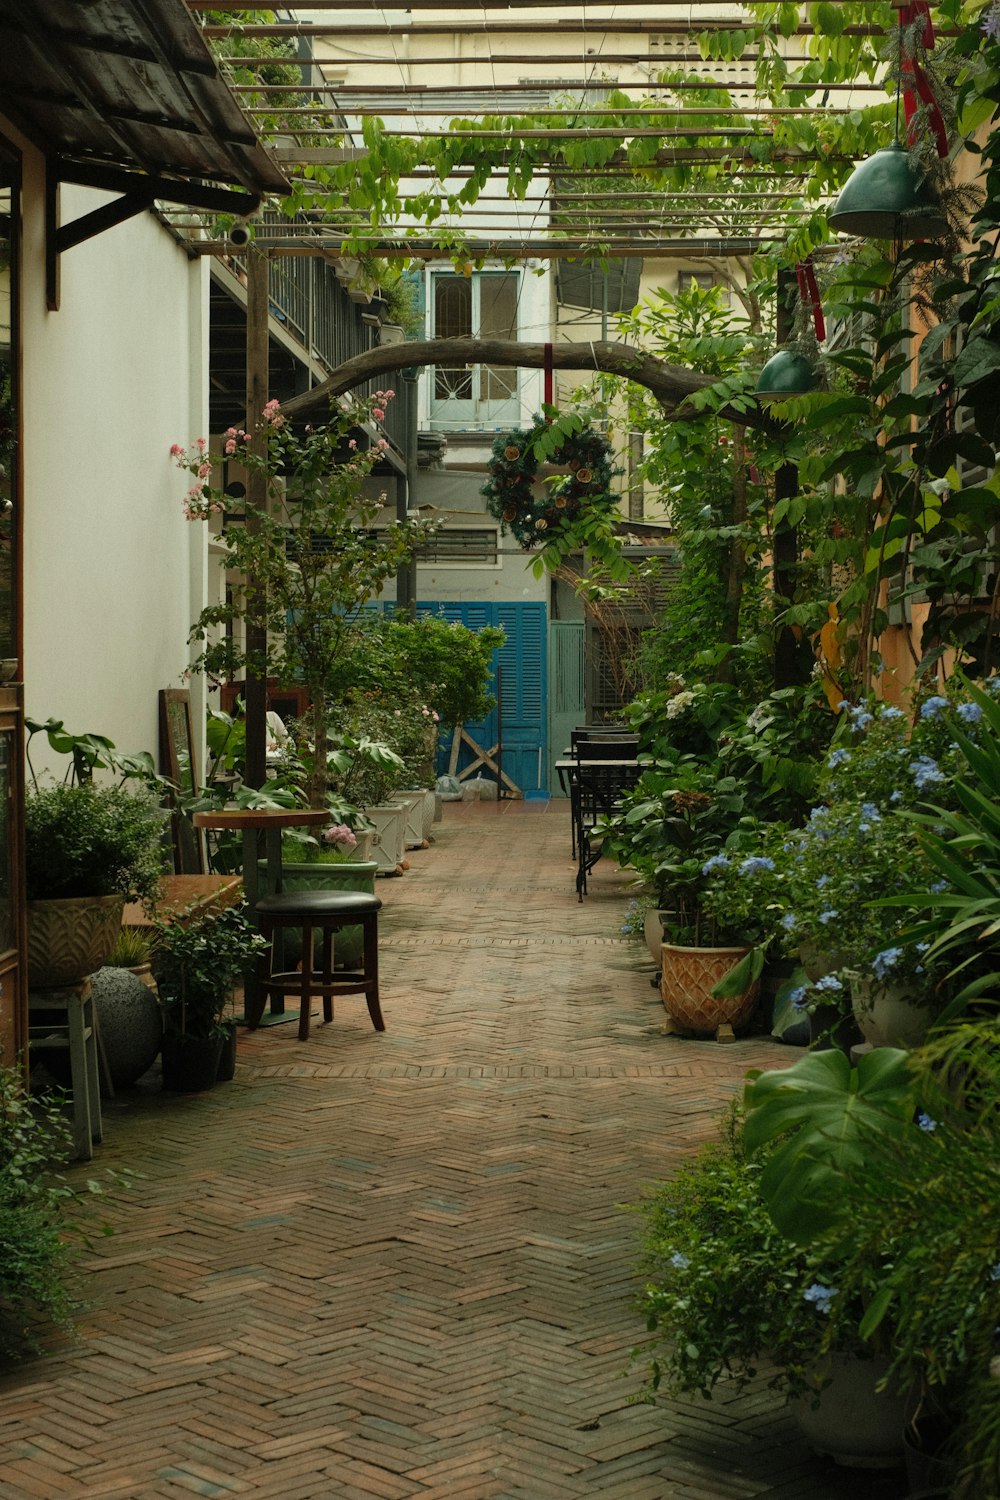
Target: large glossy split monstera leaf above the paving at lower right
<point>824,1117</point>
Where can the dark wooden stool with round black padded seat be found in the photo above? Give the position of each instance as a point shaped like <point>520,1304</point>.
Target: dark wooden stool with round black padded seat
<point>326,913</point>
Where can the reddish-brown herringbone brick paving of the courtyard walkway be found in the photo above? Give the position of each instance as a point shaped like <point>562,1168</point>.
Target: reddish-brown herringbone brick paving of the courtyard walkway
<point>404,1265</point>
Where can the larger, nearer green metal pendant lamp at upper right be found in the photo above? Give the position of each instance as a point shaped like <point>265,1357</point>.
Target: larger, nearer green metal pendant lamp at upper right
<point>888,199</point>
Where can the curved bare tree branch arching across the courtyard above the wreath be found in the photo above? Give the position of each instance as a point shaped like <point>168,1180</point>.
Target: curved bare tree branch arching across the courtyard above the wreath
<point>671,385</point>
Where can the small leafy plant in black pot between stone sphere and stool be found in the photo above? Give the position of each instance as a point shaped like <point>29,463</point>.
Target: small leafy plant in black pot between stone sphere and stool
<point>199,961</point>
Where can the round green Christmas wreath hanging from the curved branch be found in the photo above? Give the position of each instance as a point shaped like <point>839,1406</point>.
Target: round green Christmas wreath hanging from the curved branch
<point>539,517</point>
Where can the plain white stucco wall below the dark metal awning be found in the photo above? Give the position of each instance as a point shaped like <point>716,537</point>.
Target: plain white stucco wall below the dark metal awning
<point>113,575</point>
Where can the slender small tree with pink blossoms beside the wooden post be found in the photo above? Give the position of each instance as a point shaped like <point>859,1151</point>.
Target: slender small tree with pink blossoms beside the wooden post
<point>313,559</point>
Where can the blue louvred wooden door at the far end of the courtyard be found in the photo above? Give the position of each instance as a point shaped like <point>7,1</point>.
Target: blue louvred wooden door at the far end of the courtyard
<point>519,722</point>
